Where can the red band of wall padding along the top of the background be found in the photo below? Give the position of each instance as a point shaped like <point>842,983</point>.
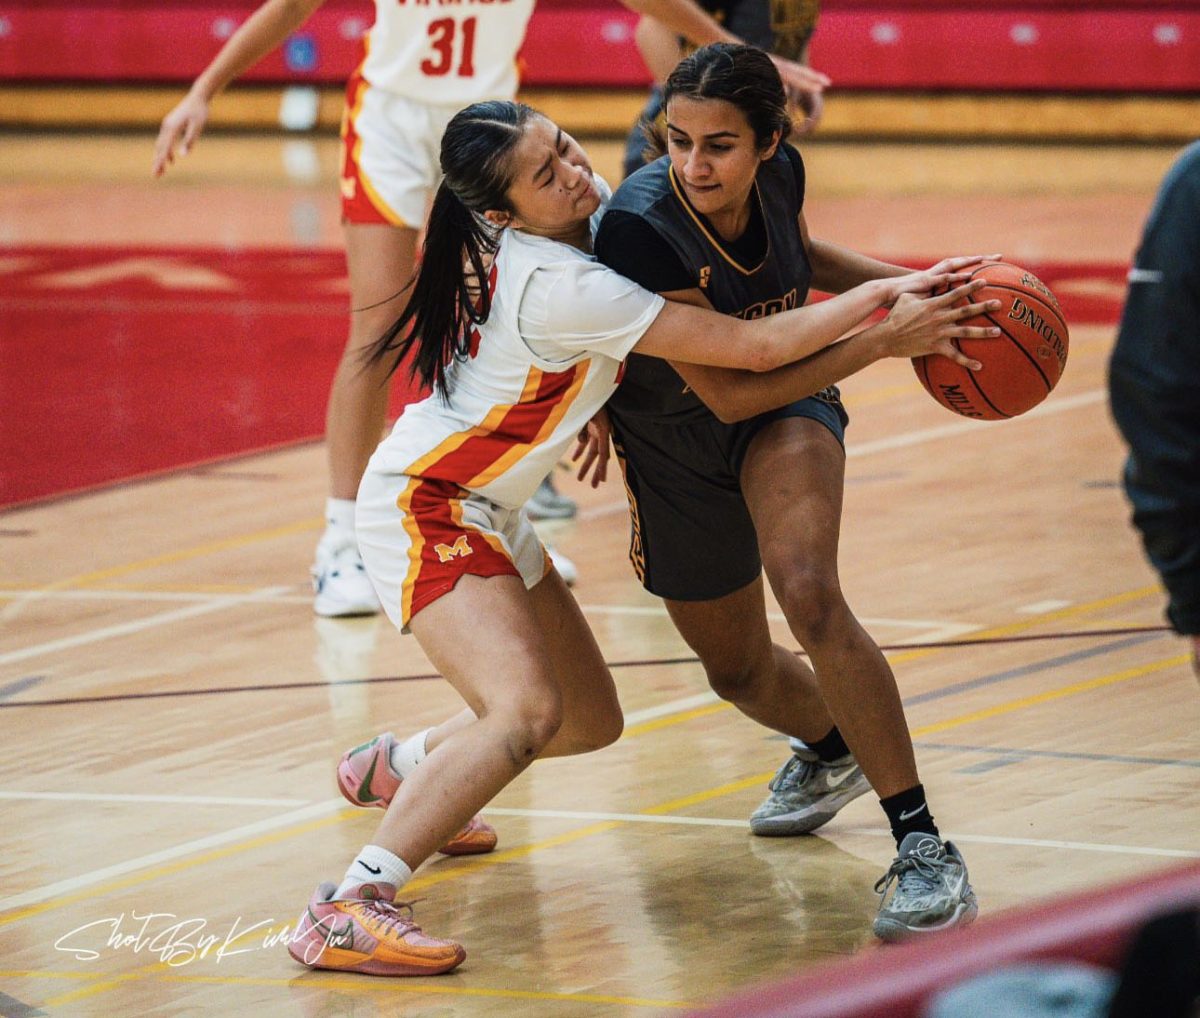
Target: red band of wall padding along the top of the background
<point>1051,46</point>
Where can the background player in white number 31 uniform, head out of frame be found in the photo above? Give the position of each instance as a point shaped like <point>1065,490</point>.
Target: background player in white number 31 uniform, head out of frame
<point>423,62</point>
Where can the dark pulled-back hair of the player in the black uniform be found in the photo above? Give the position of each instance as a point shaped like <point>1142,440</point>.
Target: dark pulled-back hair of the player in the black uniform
<point>741,75</point>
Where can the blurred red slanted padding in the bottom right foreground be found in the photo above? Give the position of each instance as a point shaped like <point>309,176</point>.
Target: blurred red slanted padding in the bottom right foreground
<point>895,983</point>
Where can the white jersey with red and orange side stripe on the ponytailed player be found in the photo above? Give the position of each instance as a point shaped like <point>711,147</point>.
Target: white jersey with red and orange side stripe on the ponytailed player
<point>513,412</point>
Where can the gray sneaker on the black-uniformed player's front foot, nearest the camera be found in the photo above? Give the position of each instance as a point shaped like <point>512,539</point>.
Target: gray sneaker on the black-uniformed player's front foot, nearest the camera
<point>932,890</point>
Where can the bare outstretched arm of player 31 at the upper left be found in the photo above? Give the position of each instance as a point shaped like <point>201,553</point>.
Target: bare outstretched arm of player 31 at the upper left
<point>257,37</point>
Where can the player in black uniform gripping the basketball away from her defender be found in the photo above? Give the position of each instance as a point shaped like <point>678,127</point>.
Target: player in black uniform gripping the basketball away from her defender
<point>731,476</point>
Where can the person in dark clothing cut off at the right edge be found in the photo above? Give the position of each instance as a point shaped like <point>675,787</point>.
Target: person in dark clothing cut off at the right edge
<point>1155,388</point>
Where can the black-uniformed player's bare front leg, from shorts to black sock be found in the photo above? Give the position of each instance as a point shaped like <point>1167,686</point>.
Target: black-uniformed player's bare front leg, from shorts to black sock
<point>793,482</point>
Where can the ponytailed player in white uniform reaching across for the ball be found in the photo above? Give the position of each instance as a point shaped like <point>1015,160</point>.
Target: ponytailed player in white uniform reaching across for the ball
<point>521,348</point>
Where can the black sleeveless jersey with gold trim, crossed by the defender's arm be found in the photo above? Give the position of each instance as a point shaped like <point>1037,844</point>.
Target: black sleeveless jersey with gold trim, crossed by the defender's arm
<point>777,282</point>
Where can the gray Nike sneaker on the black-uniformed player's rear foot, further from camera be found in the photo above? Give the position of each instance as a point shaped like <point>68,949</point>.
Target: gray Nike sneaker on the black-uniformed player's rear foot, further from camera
<point>807,793</point>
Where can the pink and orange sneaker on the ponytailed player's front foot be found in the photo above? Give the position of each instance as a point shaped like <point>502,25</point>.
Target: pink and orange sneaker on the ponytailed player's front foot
<point>369,935</point>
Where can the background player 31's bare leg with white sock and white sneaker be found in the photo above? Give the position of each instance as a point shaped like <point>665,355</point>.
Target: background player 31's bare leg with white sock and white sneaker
<point>380,261</point>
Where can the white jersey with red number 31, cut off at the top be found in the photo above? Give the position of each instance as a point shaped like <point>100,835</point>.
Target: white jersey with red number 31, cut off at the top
<point>447,52</point>
